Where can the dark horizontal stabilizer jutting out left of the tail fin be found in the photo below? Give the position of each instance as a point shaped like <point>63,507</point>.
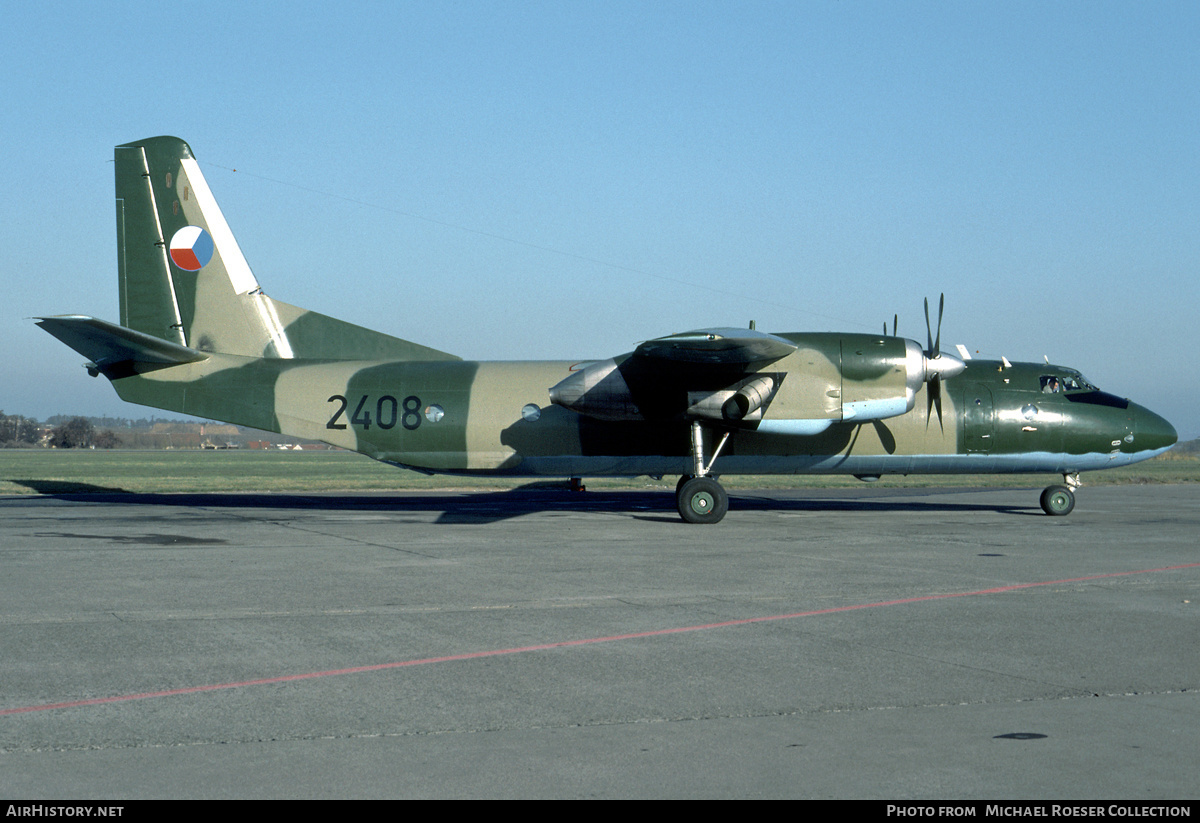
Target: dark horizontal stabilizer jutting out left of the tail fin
<point>110,346</point>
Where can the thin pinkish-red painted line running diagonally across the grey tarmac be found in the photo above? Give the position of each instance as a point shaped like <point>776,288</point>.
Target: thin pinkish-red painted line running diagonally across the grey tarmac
<point>562,645</point>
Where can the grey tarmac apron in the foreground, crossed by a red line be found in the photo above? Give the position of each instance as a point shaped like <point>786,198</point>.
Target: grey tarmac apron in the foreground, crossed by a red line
<point>844,644</point>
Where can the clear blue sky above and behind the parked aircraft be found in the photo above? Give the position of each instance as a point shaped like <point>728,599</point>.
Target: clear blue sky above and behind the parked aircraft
<point>529,181</point>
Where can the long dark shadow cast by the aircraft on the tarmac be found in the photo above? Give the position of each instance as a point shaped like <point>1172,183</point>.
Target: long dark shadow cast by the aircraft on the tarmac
<point>490,507</point>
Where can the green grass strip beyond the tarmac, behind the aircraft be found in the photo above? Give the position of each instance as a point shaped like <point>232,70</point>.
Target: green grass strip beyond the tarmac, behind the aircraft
<point>62,472</point>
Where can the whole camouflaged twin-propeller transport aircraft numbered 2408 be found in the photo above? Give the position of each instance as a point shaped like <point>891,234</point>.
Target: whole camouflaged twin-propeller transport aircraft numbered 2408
<point>200,337</point>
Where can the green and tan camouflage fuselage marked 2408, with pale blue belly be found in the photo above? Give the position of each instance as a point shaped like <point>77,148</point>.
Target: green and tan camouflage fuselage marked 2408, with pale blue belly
<point>497,418</point>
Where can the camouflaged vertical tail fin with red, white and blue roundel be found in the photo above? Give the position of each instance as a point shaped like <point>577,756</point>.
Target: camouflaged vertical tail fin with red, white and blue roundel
<point>184,279</point>
